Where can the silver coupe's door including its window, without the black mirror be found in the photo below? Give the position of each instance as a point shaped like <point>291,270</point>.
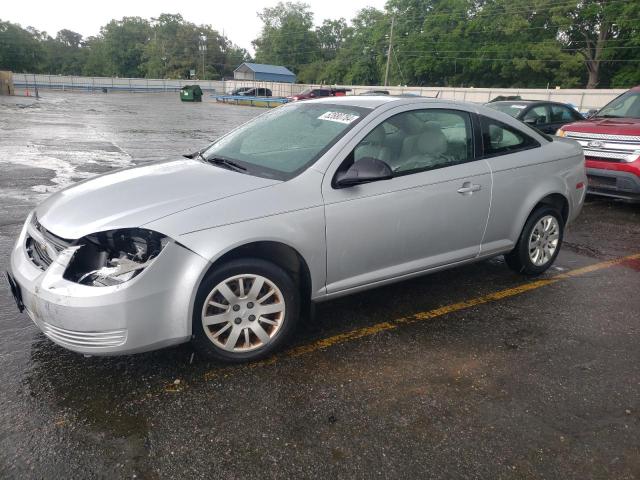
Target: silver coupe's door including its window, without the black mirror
<point>431,213</point>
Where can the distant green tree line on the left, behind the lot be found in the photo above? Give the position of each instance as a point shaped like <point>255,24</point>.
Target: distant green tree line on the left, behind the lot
<point>163,47</point>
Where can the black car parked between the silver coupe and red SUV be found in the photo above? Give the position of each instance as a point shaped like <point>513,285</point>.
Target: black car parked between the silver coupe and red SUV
<point>547,117</point>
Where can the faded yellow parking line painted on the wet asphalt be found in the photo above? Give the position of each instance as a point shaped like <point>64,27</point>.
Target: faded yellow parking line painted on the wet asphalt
<point>368,331</point>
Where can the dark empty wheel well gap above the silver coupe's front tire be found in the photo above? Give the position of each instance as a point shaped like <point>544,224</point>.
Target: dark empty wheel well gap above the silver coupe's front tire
<point>282,255</point>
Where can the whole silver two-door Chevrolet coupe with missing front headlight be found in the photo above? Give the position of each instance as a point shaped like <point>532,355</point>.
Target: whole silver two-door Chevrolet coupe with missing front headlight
<point>230,247</point>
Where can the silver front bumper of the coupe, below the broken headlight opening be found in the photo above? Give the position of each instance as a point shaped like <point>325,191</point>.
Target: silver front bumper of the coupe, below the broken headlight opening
<point>150,311</point>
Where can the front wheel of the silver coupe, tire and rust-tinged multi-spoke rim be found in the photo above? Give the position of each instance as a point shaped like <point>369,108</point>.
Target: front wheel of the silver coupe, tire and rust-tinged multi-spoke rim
<point>245,310</point>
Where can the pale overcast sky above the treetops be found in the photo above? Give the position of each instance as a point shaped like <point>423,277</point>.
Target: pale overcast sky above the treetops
<point>238,19</point>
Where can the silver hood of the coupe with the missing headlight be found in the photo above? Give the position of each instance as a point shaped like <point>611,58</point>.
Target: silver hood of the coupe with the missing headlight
<point>135,196</point>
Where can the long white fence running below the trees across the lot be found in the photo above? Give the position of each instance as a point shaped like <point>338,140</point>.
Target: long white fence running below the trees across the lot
<point>582,99</point>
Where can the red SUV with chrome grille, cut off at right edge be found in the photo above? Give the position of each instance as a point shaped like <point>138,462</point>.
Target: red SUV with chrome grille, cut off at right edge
<point>611,143</point>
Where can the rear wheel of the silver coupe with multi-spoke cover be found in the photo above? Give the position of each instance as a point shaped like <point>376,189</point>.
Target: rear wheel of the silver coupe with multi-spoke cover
<point>539,242</point>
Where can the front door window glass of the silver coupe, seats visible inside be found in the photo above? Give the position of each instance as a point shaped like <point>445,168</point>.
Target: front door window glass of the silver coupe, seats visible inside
<point>420,140</point>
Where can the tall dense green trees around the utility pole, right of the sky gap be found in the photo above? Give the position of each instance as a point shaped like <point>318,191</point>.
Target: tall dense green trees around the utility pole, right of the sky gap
<point>482,43</point>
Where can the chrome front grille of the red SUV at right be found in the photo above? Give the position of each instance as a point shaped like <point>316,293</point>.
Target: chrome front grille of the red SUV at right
<point>609,148</point>
